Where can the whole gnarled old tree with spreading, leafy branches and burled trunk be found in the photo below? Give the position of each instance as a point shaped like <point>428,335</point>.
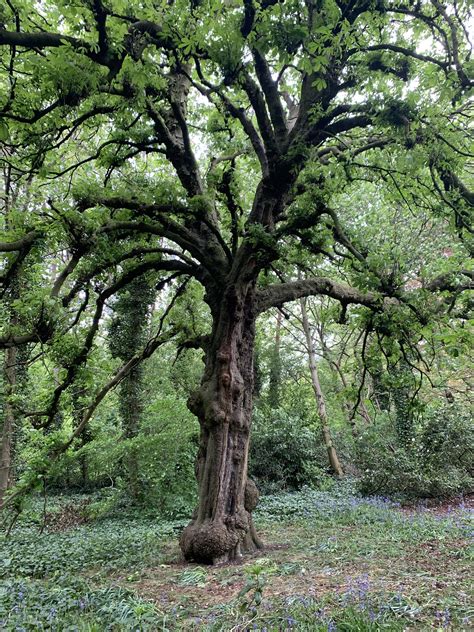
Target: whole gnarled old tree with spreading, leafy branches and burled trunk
<point>220,143</point>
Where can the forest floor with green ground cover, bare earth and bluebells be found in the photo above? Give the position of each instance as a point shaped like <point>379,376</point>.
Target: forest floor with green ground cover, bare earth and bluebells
<point>334,561</point>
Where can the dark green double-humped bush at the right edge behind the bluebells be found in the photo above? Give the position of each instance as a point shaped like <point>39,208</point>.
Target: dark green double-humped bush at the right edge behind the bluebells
<point>437,463</point>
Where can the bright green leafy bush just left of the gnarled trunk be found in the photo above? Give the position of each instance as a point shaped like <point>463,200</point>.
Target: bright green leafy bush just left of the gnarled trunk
<point>165,450</point>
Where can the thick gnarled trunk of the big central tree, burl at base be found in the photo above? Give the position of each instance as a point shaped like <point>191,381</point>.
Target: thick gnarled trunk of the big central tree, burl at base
<point>222,526</point>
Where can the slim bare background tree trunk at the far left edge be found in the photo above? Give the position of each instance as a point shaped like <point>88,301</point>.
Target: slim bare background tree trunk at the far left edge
<point>9,376</point>
